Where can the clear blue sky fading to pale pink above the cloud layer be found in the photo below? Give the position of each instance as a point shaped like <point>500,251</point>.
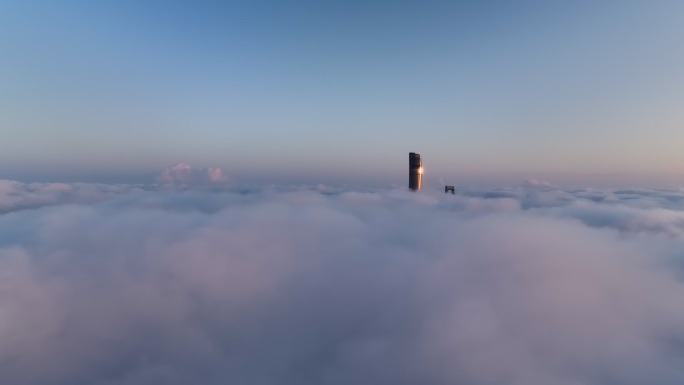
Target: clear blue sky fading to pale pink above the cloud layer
<point>323,91</point>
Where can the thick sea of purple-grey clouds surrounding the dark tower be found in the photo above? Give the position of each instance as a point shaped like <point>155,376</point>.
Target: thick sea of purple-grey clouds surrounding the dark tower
<point>195,284</point>
